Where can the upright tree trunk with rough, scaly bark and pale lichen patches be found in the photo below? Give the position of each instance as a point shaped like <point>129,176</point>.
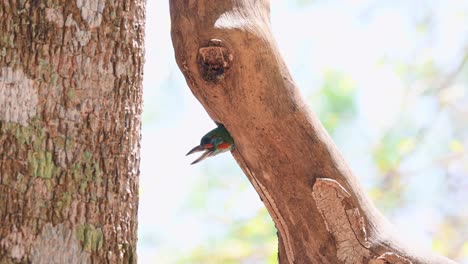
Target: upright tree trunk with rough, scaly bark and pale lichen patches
<point>70,105</point>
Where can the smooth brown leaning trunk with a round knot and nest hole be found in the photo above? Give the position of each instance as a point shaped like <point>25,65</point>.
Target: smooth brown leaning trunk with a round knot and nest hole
<point>230,60</point>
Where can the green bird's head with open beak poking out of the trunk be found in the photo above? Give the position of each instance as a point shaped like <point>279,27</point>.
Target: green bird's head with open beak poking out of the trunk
<point>213,143</point>
